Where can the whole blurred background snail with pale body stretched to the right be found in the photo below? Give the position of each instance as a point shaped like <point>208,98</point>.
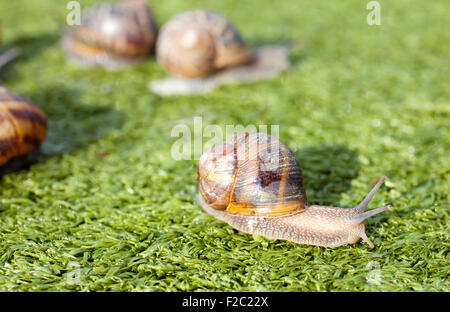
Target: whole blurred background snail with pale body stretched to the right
<point>202,50</point>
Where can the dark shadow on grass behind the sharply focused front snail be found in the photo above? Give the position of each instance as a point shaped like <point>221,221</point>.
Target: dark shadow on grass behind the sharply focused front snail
<point>328,171</point>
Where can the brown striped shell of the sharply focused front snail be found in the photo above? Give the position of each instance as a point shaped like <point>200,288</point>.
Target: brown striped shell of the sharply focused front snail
<point>253,174</point>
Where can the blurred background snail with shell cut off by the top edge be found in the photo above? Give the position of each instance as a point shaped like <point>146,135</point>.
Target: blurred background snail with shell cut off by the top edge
<point>112,35</point>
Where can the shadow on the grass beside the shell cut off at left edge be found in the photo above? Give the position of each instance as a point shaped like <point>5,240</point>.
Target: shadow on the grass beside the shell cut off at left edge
<point>71,125</point>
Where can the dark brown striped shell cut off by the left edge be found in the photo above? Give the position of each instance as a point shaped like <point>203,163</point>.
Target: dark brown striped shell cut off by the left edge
<point>23,126</point>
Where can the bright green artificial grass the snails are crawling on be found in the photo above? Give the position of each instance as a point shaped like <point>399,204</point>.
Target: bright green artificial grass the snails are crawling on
<point>106,208</point>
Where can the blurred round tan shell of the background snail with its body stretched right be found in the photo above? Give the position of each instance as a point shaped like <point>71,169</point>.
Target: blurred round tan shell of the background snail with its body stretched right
<point>198,43</point>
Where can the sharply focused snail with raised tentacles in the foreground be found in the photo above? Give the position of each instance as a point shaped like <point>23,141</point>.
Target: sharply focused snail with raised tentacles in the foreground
<point>254,183</point>
